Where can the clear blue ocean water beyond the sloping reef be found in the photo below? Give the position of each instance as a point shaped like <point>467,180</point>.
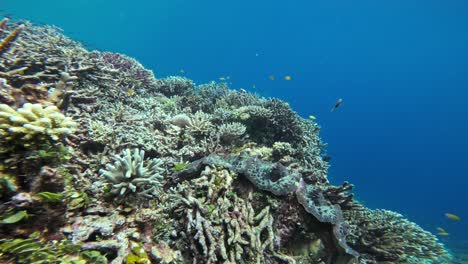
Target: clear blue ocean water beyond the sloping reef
<point>401,67</point>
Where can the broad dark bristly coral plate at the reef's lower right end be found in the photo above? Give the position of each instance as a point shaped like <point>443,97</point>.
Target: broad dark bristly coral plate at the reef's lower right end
<point>383,236</point>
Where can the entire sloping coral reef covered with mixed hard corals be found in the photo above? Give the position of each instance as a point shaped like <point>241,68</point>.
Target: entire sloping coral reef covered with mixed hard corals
<point>114,165</point>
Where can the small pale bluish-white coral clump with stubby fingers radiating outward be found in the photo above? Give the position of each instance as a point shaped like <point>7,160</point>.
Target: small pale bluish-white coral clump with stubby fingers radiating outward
<point>132,174</point>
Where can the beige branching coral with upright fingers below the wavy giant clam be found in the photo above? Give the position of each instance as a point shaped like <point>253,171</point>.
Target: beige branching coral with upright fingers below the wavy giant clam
<point>224,228</point>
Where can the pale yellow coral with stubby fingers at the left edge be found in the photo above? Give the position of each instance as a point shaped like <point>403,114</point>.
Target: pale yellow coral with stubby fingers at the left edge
<point>32,122</point>
